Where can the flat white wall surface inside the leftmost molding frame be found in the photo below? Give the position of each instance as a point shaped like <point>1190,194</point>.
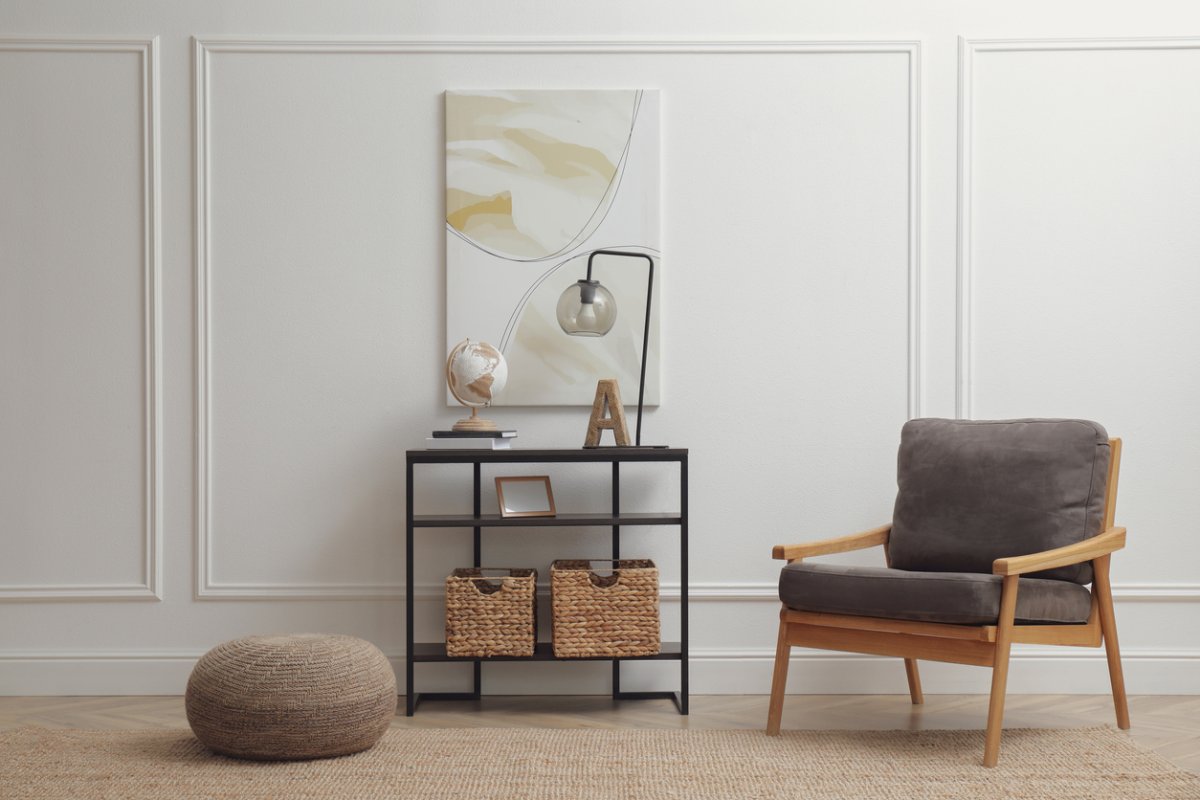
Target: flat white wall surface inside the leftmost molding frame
<point>77,459</point>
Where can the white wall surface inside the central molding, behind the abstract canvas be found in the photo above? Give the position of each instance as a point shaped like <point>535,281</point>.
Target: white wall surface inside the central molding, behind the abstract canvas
<point>322,225</point>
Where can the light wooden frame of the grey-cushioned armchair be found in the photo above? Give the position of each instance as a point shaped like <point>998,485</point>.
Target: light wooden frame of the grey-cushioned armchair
<point>983,646</point>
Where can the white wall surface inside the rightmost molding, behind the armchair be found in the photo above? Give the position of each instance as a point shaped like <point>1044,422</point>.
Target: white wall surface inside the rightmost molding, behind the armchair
<point>1083,266</point>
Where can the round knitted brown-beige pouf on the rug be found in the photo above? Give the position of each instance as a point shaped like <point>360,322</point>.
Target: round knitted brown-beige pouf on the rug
<point>291,697</point>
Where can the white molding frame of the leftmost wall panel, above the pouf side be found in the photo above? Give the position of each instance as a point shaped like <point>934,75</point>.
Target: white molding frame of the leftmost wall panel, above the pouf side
<point>152,324</point>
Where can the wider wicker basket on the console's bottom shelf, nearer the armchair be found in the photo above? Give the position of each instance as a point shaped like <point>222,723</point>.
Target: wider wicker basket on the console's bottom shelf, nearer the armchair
<point>614,615</point>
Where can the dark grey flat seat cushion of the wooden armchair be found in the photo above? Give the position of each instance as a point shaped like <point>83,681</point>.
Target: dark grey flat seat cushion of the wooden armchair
<point>956,598</point>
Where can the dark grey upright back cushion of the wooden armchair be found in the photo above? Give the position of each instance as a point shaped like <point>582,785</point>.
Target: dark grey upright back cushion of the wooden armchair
<point>973,492</point>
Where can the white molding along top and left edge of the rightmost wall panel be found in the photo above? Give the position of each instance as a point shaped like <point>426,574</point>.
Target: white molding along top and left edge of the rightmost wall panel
<point>969,49</point>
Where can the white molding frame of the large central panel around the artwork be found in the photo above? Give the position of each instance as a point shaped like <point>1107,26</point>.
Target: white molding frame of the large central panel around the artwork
<point>205,47</point>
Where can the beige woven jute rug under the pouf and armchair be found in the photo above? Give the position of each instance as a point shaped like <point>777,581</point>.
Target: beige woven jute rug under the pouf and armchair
<point>590,765</point>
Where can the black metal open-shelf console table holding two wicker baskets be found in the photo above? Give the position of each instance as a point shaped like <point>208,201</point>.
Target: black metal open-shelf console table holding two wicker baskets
<point>436,652</point>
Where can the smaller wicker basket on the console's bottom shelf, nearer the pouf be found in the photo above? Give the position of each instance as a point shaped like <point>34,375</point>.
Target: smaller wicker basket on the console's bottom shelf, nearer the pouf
<point>491,612</point>
